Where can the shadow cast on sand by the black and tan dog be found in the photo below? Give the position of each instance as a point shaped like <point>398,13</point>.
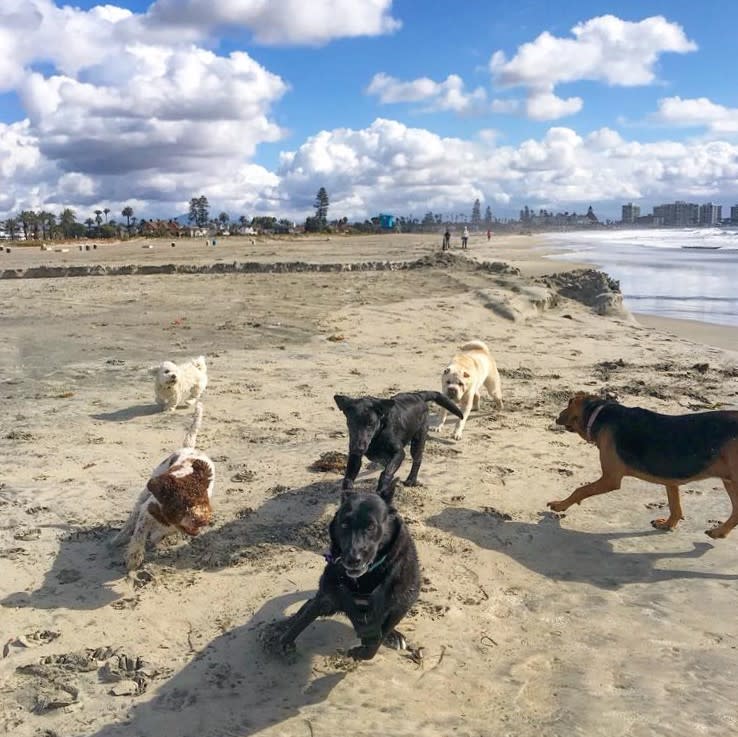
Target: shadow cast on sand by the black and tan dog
<point>564,554</point>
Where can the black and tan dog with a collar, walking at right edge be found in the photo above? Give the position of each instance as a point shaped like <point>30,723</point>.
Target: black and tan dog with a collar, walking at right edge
<point>664,449</point>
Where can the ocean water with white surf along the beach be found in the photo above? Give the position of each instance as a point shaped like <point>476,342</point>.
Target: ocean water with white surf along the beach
<point>689,273</point>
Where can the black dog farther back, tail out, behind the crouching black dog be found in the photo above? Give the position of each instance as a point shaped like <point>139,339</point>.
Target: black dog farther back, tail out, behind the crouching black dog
<point>381,428</point>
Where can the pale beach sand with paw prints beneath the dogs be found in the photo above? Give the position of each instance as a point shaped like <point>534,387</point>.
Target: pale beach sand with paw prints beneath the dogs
<point>530,624</point>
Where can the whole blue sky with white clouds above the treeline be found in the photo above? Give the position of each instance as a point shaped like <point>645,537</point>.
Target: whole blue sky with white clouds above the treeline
<point>390,105</point>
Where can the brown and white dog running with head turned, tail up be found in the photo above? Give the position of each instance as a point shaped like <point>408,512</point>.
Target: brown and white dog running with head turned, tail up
<point>176,497</point>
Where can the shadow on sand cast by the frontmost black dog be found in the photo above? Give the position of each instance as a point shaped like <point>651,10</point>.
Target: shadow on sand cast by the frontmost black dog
<point>232,686</point>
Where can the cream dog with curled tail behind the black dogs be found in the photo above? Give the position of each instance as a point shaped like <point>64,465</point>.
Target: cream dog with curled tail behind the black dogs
<point>464,377</point>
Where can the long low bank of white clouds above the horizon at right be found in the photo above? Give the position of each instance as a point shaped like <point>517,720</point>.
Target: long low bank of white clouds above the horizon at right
<point>391,167</point>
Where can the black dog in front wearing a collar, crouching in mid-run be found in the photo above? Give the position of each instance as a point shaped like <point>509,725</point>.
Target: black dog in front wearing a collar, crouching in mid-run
<point>372,575</point>
